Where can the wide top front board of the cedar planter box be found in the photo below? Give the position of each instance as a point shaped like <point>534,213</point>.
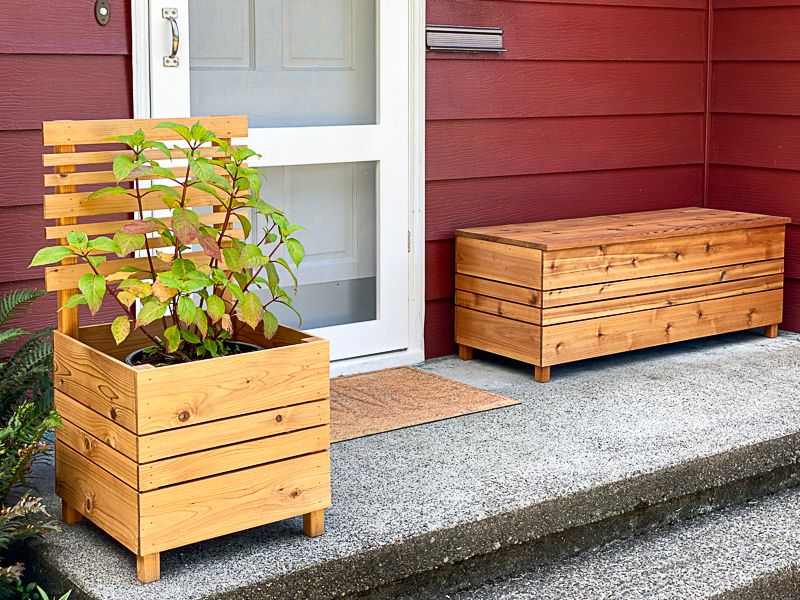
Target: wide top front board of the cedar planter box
<point>190,393</point>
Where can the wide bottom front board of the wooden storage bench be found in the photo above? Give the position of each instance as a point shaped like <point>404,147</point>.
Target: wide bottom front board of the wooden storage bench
<point>620,333</point>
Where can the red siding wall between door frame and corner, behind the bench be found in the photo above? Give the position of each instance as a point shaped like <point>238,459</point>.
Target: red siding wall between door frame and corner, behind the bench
<point>597,107</point>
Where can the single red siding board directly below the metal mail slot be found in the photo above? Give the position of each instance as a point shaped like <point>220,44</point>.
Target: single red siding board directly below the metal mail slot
<point>463,89</point>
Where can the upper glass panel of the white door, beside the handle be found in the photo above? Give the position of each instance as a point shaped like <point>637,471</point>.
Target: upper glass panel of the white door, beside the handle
<point>284,63</point>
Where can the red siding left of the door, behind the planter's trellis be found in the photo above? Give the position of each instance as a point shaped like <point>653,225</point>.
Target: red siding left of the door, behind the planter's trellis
<point>60,64</point>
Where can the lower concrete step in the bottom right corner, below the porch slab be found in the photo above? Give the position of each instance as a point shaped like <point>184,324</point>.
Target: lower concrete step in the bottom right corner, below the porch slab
<point>749,552</point>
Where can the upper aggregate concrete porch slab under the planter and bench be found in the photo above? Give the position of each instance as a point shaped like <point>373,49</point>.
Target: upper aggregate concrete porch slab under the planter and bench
<point>593,442</point>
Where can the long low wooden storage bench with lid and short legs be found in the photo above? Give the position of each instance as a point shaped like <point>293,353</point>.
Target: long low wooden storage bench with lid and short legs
<point>555,292</point>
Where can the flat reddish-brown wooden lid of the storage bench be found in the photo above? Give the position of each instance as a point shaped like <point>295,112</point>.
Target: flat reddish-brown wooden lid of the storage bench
<point>600,231</point>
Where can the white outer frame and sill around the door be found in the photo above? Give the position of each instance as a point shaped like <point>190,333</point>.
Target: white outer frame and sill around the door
<point>416,218</point>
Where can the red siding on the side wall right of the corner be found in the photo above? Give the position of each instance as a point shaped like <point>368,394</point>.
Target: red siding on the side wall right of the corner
<point>755,123</point>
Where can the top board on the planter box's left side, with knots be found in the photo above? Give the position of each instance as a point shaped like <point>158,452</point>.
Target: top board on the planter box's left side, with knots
<point>100,382</point>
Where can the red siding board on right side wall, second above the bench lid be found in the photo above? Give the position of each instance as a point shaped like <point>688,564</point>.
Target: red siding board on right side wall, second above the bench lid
<point>755,141</point>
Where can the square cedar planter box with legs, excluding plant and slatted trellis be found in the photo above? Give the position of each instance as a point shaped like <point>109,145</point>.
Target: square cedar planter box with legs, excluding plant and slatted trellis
<point>163,457</point>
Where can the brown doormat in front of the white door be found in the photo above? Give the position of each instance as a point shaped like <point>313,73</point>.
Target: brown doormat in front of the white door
<point>395,398</point>
